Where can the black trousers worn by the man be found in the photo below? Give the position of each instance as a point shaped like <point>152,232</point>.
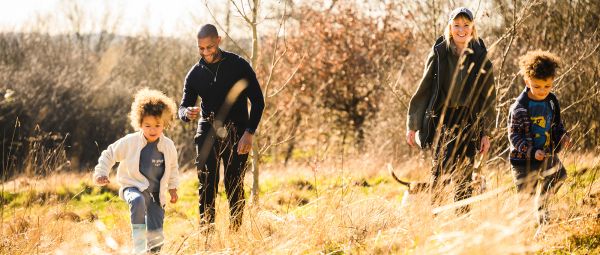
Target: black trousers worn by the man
<point>214,148</point>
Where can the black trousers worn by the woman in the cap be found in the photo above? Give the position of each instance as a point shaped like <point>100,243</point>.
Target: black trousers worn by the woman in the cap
<point>453,155</point>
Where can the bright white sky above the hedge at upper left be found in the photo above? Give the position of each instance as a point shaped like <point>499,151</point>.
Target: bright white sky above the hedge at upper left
<point>158,17</point>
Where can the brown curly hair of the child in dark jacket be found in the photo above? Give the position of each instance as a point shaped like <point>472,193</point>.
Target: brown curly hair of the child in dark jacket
<point>539,64</point>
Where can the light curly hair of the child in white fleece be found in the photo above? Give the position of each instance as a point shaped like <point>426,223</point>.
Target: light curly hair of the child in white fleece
<point>148,102</point>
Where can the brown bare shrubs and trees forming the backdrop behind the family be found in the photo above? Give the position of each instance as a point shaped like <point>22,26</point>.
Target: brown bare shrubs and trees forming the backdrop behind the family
<point>354,73</point>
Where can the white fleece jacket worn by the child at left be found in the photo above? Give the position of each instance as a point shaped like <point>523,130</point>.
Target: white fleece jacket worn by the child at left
<point>127,151</point>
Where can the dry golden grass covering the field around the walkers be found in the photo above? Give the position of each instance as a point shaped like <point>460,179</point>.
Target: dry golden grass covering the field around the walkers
<point>323,210</point>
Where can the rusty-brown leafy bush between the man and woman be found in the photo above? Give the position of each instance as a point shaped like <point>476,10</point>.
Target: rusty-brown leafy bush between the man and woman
<point>348,58</point>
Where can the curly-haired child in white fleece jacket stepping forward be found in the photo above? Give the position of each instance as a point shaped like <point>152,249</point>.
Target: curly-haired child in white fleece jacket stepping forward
<point>148,167</point>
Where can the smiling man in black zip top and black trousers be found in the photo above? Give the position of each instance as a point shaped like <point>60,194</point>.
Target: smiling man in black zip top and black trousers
<point>225,82</point>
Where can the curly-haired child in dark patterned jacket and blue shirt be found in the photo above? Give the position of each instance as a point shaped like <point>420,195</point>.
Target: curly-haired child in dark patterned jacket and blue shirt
<point>536,131</point>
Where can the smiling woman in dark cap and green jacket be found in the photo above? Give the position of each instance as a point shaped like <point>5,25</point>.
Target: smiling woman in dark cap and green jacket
<point>452,110</point>
